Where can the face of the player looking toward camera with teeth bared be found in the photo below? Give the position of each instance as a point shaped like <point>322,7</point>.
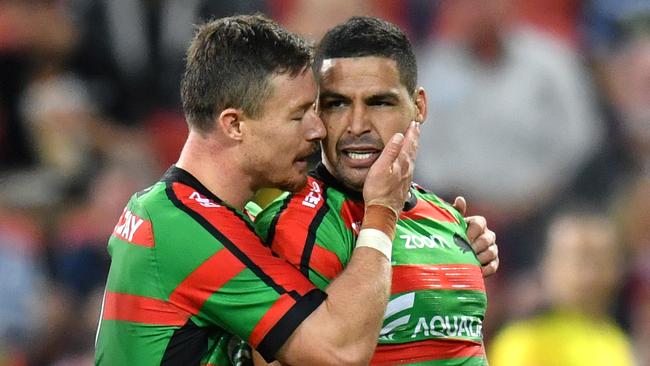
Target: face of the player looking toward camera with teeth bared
<point>362,103</point>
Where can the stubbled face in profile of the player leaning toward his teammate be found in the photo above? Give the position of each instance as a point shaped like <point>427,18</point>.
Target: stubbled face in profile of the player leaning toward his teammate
<point>285,134</point>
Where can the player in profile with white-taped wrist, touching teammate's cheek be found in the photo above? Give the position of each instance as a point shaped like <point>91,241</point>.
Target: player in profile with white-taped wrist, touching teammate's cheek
<point>187,266</point>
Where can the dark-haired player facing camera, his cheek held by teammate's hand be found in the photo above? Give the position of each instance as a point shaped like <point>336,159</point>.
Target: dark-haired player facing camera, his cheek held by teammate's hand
<point>367,75</point>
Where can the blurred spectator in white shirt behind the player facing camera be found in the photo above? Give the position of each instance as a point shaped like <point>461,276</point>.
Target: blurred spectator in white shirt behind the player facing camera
<point>513,117</point>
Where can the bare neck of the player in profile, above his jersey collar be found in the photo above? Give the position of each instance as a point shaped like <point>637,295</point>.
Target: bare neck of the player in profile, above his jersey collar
<point>216,165</point>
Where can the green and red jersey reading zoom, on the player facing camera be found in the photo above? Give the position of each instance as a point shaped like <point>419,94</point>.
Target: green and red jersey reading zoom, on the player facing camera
<point>438,298</point>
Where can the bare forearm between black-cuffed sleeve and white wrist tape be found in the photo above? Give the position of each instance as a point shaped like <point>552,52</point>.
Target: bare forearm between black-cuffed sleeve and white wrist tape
<point>345,328</point>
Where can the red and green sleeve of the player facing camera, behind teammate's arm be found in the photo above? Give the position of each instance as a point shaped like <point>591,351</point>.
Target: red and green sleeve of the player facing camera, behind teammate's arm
<point>302,229</point>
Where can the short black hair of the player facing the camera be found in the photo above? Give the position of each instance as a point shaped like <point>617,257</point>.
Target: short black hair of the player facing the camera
<point>368,36</point>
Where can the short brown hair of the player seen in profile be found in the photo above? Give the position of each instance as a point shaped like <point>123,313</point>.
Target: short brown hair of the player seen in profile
<point>230,63</point>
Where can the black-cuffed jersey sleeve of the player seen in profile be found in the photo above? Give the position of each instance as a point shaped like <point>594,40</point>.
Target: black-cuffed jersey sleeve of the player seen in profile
<point>240,285</point>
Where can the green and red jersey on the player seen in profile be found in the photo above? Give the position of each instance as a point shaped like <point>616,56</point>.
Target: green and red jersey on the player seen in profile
<point>188,269</point>
